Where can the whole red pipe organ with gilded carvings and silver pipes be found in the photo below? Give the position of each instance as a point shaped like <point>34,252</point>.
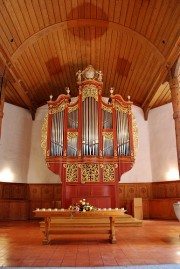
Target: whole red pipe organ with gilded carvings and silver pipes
<point>89,141</point>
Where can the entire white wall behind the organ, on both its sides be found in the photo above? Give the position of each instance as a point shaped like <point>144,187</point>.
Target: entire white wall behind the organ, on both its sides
<point>21,152</point>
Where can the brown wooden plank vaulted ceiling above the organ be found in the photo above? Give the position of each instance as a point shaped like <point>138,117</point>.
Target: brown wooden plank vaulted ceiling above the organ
<point>43,43</point>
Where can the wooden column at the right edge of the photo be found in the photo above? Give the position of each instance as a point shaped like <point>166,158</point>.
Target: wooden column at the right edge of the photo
<point>175,94</point>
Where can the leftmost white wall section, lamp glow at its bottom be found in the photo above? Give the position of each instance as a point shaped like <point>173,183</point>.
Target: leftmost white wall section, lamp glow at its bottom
<point>15,144</point>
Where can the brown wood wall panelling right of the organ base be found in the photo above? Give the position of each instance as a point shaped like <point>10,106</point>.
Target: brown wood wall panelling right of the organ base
<point>157,198</point>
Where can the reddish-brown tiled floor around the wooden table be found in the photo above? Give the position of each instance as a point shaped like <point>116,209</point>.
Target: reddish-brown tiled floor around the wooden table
<point>156,242</point>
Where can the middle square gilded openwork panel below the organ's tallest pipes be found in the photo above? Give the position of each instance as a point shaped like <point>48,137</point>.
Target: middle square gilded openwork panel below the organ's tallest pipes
<point>90,173</point>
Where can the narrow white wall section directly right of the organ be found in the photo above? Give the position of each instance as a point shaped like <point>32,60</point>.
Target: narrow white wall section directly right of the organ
<point>141,171</point>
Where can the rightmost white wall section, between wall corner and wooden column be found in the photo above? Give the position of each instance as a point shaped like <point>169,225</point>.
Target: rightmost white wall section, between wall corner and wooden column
<point>163,144</point>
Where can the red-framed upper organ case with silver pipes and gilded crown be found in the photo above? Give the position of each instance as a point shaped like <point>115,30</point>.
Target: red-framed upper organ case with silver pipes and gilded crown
<point>90,125</point>
